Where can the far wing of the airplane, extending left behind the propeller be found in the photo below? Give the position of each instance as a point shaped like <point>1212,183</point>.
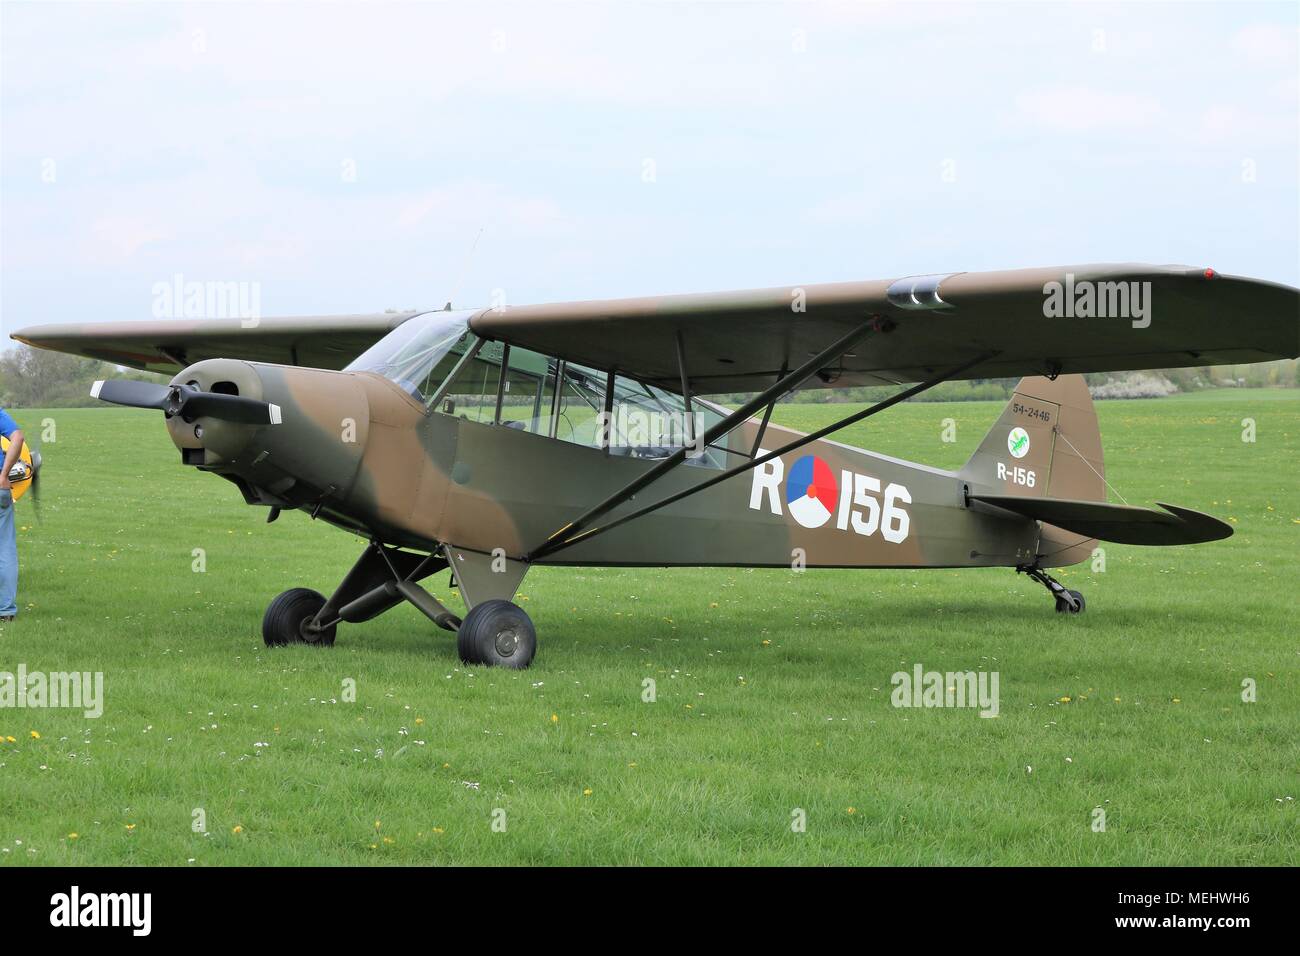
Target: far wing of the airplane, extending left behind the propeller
<point>330,341</point>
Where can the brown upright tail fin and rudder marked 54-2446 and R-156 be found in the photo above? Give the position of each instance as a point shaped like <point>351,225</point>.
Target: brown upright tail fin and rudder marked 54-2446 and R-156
<point>1046,444</point>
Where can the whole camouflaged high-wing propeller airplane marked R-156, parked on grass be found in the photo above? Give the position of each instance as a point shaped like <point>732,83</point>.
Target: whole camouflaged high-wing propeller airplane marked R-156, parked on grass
<point>580,434</point>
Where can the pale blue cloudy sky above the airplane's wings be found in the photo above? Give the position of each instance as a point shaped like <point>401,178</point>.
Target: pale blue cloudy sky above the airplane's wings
<point>352,158</point>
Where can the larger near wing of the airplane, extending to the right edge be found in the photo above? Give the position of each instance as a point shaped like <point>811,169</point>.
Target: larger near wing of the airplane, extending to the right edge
<point>1034,322</point>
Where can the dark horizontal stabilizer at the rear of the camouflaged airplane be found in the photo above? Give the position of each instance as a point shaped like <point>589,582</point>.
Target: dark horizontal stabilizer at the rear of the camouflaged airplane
<point>1121,524</point>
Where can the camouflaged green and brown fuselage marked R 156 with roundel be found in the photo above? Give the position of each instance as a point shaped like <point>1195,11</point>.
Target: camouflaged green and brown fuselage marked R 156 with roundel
<point>358,451</point>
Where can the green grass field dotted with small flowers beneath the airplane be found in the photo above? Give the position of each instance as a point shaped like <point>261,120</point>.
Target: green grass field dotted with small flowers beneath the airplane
<point>773,687</point>
